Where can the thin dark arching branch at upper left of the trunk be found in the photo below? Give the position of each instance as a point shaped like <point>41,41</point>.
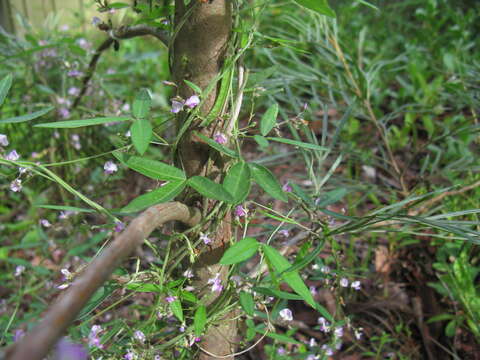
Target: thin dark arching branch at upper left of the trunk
<point>124,32</point>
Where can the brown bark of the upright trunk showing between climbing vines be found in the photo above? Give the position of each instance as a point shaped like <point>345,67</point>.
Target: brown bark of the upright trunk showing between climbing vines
<point>199,51</point>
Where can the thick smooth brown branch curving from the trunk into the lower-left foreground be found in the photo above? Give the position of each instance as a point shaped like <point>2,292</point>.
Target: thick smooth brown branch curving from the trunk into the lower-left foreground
<point>37,343</point>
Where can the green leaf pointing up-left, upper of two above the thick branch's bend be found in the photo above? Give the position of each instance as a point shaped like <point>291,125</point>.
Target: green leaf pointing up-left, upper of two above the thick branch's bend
<point>152,168</point>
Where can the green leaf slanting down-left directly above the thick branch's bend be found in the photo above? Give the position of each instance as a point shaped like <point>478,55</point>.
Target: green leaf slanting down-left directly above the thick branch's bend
<point>165,193</point>
